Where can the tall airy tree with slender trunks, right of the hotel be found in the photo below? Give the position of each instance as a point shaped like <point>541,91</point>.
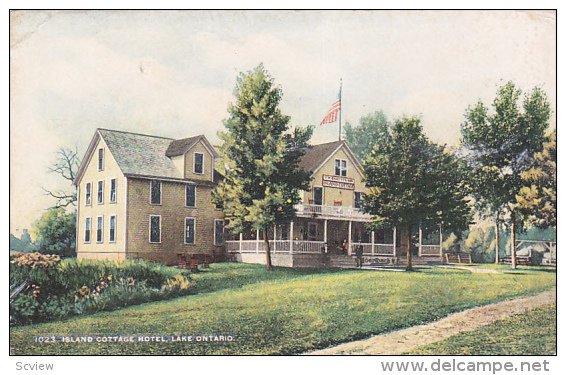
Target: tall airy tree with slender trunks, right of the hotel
<point>499,147</point>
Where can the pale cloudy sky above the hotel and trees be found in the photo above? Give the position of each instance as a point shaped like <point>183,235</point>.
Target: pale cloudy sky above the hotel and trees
<point>172,73</point>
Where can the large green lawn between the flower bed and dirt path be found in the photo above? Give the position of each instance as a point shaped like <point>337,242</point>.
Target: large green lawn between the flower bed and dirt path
<point>286,311</point>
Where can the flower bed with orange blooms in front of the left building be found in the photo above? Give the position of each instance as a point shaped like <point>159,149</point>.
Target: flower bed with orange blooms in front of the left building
<point>53,289</point>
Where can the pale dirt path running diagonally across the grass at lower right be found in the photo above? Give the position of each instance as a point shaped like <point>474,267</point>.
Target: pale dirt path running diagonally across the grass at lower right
<point>401,341</point>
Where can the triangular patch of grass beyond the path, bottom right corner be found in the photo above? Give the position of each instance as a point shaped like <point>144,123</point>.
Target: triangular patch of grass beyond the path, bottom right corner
<point>533,333</point>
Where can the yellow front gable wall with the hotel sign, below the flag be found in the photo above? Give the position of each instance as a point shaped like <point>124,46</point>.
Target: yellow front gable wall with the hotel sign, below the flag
<point>330,195</point>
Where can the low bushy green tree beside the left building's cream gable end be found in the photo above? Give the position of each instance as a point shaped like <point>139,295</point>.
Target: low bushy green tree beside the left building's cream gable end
<point>55,232</point>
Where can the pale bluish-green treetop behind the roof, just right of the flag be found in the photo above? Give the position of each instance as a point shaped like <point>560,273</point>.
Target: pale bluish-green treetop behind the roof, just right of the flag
<point>372,129</point>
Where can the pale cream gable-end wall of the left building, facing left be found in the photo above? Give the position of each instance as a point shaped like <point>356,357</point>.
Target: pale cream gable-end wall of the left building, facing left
<point>105,249</point>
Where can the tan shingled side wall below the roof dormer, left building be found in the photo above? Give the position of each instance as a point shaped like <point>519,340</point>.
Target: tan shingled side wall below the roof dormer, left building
<point>173,212</point>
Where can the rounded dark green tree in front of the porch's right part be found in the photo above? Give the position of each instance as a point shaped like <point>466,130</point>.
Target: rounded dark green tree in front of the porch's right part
<point>414,182</point>
